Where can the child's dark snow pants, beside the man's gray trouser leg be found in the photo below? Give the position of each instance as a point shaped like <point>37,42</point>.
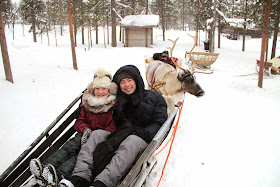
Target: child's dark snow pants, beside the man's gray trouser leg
<point>64,159</point>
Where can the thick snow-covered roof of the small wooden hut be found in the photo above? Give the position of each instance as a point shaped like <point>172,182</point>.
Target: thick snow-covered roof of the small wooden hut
<point>140,21</point>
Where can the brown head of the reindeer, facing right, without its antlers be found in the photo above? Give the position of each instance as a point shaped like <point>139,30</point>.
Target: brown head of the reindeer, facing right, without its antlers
<point>189,83</point>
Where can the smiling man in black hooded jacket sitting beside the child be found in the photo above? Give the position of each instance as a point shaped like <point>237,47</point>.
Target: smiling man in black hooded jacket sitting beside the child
<point>143,111</point>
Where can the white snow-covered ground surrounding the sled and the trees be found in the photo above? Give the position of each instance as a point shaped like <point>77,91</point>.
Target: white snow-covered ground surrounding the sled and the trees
<point>230,137</point>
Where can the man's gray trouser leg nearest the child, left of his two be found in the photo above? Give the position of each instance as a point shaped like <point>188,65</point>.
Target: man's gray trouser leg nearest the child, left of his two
<point>84,164</point>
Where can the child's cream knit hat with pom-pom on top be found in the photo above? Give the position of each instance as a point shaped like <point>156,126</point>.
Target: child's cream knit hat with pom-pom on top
<point>101,79</point>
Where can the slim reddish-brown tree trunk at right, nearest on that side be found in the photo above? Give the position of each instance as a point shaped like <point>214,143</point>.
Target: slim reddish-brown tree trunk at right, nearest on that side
<point>264,40</point>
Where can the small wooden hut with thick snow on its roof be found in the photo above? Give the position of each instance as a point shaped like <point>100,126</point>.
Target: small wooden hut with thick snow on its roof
<point>138,30</point>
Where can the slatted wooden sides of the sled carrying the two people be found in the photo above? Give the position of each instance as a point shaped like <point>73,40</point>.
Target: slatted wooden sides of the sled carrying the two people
<point>60,130</point>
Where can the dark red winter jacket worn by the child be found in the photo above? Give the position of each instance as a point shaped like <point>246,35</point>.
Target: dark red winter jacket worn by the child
<point>94,121</point>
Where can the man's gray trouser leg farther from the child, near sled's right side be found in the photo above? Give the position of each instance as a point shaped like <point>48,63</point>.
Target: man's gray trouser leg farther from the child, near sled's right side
<point>125,155</point>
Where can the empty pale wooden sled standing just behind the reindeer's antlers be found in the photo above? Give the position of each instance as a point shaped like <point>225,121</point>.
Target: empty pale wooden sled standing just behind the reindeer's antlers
<point>202,60</point>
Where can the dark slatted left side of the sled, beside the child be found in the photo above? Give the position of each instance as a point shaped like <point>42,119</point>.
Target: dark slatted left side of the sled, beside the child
<point>19,168</point>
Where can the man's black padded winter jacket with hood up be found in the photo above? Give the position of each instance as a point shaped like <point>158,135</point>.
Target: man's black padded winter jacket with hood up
<point>144,110</point>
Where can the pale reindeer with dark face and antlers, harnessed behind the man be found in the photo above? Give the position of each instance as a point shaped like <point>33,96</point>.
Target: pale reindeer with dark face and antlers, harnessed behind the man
<point>172,83</point>
